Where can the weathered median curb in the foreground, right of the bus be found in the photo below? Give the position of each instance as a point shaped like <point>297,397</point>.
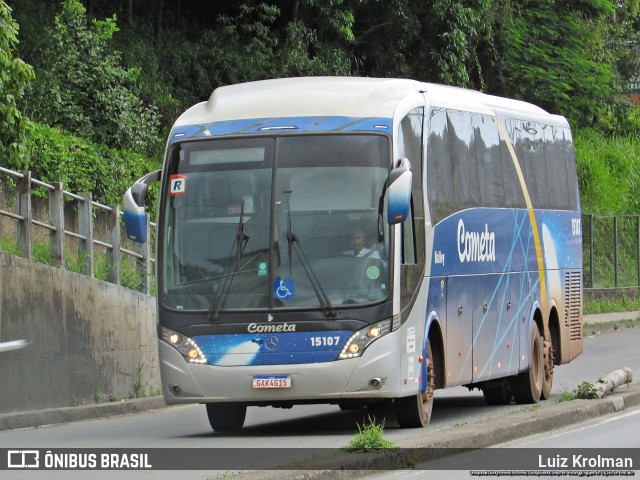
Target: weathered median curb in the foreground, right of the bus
<point>434,445</point>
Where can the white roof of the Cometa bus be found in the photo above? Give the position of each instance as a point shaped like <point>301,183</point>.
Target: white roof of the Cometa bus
<point>346,97</point>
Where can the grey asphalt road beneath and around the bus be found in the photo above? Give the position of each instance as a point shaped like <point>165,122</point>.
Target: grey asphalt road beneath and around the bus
<point>314,426</point>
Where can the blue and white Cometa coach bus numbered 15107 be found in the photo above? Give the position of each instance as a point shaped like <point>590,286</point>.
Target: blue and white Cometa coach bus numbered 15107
<point>359,241</point>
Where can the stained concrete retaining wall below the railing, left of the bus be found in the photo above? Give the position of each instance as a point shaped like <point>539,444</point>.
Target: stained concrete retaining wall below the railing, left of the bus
<point>90,340</point>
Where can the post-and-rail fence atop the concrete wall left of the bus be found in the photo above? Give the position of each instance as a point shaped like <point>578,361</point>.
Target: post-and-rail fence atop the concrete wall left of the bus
<point>85,235</point>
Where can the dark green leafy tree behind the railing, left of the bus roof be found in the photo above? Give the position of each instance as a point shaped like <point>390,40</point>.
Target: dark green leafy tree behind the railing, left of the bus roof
<point>83,87</point>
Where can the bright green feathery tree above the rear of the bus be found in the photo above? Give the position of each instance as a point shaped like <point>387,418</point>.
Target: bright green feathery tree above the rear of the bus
<point>546,56</point>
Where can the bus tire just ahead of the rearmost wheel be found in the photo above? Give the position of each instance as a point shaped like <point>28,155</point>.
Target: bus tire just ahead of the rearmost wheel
<point>527,386</point>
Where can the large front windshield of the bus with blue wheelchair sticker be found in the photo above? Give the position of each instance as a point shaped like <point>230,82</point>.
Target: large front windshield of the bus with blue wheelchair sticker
<point>274,223</point>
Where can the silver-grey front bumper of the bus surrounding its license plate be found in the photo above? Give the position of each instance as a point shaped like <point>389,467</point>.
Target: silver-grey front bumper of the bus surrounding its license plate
<point>373,375</point>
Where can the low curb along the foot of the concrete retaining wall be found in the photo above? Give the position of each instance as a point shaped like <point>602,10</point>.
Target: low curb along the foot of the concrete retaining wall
<point>38,418</point>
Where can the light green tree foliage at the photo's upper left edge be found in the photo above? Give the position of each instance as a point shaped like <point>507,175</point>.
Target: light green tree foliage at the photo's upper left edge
<point>15,76</point>
